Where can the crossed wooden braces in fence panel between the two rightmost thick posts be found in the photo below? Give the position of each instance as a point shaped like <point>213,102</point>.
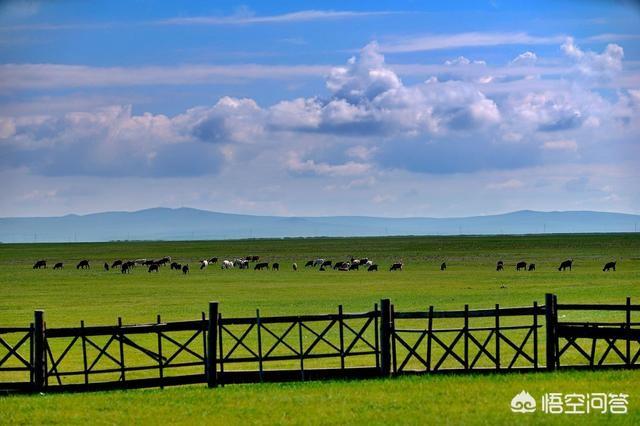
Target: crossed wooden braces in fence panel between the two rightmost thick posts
<point>449,349</point>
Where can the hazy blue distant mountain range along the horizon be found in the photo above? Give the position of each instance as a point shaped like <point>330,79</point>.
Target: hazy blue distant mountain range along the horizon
<point>193,224</point>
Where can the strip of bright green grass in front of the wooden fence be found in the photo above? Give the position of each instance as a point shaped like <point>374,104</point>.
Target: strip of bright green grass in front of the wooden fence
<point>472,399</point>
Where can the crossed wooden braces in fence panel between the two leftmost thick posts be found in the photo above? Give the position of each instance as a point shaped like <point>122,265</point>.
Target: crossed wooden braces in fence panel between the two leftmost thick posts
<point>163,361</point>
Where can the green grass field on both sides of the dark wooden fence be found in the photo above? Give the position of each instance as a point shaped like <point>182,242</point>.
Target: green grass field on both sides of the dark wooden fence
<point>99,297</point>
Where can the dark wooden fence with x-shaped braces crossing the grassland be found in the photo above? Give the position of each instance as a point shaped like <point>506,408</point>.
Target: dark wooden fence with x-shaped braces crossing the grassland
<point>379,343</point>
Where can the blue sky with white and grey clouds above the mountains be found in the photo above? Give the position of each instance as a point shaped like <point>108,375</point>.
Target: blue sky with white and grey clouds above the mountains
<point>392,109</point>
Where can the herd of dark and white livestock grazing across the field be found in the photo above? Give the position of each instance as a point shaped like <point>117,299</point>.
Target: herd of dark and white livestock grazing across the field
<point>154,265</point>
